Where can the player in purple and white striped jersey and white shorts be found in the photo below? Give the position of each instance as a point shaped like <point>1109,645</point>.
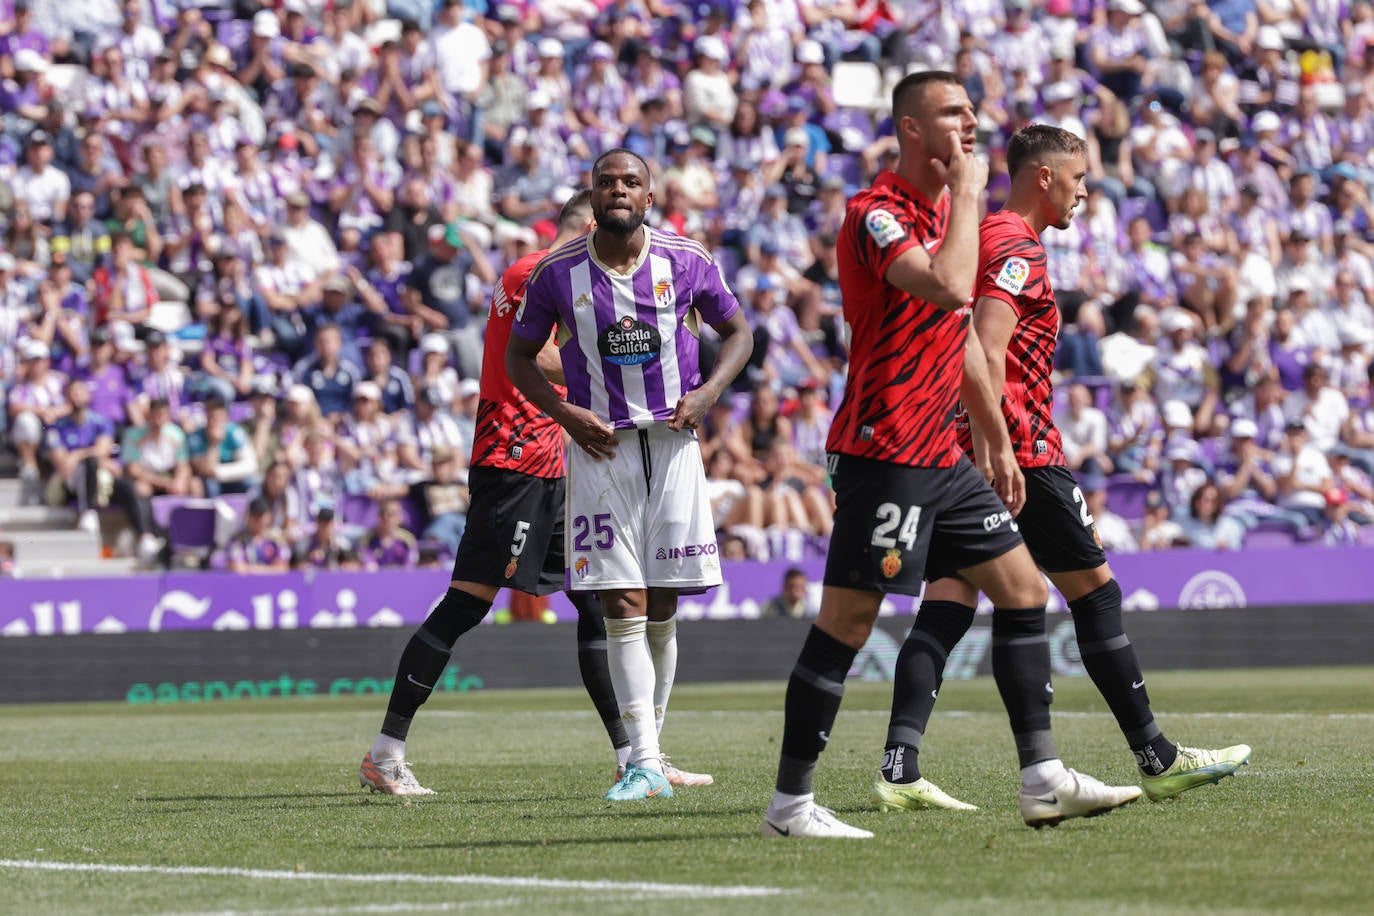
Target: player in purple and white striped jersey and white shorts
<point>627,301</point>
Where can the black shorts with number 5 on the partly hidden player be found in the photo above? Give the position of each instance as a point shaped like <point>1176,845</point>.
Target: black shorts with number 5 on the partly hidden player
<point>515,536</point>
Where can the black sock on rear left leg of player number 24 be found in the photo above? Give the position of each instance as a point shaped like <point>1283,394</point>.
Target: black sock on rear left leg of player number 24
<point>814,693</point>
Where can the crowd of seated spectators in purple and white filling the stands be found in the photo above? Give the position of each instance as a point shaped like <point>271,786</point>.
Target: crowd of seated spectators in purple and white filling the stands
<point>249,251</point>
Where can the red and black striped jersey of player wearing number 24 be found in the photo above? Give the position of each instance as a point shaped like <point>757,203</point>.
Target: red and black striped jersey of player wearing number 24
<point>906,355</point>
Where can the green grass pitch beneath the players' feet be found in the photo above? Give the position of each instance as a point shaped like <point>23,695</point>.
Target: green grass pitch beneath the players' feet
<point>271,785</point>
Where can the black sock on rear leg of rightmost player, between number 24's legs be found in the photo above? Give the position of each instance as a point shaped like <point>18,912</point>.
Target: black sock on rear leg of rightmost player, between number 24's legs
<point>920,674</point>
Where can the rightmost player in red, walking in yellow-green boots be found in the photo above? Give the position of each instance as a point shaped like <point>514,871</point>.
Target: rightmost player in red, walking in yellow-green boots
<point>1017,325</point>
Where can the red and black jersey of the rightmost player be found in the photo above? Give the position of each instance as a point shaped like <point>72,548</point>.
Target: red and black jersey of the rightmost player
<point>1012,270</point>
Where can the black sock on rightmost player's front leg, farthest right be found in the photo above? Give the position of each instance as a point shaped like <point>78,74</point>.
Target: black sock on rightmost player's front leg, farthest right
<point>1111,661</point>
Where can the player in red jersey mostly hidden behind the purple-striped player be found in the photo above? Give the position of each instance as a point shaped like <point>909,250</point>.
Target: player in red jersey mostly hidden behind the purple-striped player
<point>515,538</point>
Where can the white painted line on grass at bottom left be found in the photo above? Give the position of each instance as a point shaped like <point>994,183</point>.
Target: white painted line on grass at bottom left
<point>486,881</point>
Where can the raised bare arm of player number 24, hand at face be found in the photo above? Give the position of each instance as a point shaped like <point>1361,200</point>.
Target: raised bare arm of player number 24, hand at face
<point>946,281</point>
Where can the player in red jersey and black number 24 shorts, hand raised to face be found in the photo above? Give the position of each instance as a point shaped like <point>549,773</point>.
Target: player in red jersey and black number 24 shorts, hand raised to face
<point>909,505</point>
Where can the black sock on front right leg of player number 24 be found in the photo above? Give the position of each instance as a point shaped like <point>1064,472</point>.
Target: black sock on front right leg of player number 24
<point>1022,669</point>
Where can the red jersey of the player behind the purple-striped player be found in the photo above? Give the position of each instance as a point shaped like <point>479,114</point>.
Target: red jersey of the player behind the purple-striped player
<point>512,433</point>
